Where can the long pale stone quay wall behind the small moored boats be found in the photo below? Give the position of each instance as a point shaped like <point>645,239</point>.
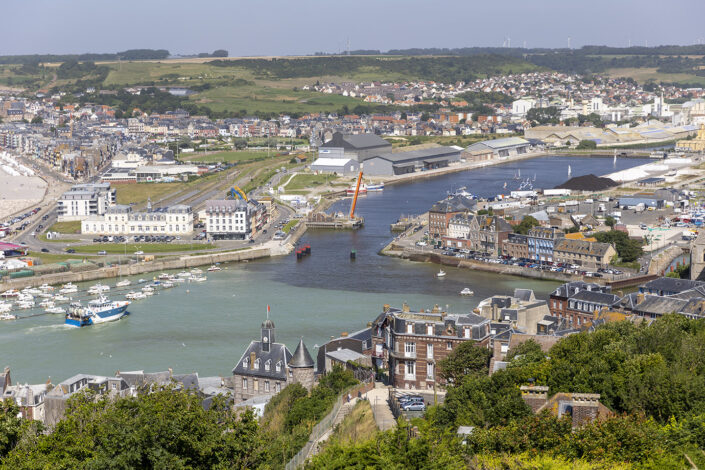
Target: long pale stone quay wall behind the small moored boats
<point>183,262</point>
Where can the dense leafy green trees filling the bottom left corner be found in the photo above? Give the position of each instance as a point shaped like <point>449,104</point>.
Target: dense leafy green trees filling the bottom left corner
<point>163,429</point>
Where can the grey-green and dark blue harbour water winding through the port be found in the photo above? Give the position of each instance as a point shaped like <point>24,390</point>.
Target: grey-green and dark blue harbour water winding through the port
<point>205,327</point>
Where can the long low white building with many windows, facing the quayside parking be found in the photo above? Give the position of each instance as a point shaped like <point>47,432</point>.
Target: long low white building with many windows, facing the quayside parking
<point>120,220</point>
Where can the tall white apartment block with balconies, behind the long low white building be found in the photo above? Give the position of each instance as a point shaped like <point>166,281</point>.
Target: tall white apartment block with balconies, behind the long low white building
<point>85,200</point>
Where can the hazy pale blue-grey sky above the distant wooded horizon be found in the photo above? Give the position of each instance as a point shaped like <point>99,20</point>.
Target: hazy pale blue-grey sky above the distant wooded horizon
<point>284,27</point>
